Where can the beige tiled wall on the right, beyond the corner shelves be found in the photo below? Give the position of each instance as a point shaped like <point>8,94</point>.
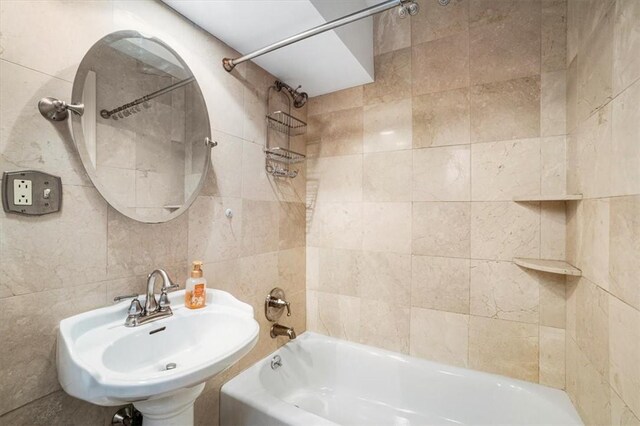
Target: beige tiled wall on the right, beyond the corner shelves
<point>603,239</point>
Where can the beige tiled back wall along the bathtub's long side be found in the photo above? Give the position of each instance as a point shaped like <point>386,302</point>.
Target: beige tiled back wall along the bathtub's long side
<point>411,227</point>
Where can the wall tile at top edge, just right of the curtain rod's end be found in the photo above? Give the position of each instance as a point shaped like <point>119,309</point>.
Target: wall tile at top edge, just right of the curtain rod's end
<point>435,21</point>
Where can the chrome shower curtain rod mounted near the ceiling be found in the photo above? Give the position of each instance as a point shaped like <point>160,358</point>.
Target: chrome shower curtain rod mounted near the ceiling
<point>407,7</point>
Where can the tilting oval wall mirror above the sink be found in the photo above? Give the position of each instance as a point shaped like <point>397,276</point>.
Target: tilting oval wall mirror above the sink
<point>142,137</point>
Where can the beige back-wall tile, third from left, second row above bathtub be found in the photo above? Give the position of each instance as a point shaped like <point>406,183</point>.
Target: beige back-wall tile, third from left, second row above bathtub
<point>440,283</point>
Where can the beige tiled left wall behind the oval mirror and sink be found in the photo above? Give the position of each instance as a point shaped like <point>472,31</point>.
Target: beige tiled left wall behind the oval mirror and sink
<point>55,266</point>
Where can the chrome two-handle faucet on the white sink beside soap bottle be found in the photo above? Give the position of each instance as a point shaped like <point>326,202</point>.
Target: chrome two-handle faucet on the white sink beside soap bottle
<point>153,310</point>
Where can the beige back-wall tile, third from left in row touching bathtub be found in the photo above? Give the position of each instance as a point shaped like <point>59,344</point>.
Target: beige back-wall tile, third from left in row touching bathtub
<point>440,336</point>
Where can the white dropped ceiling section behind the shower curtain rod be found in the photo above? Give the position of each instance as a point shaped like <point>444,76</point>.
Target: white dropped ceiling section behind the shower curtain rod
<point>325,63</point>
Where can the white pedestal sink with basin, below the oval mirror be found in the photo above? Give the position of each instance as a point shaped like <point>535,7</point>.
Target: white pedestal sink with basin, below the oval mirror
<point>161,366</point>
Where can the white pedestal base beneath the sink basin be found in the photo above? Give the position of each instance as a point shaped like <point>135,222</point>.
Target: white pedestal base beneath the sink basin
<point>175,409</point>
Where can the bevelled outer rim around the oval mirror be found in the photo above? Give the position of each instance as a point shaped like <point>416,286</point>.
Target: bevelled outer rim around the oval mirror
<point>79,139</point>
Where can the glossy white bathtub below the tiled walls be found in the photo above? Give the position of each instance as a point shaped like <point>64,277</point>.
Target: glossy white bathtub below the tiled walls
<point>325,381</point>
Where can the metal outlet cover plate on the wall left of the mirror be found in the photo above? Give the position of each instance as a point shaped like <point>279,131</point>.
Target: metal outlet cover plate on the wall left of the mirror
<point>46,193</point>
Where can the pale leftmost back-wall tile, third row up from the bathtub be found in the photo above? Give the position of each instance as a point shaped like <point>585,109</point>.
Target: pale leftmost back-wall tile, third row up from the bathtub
<point>335,225</point>
